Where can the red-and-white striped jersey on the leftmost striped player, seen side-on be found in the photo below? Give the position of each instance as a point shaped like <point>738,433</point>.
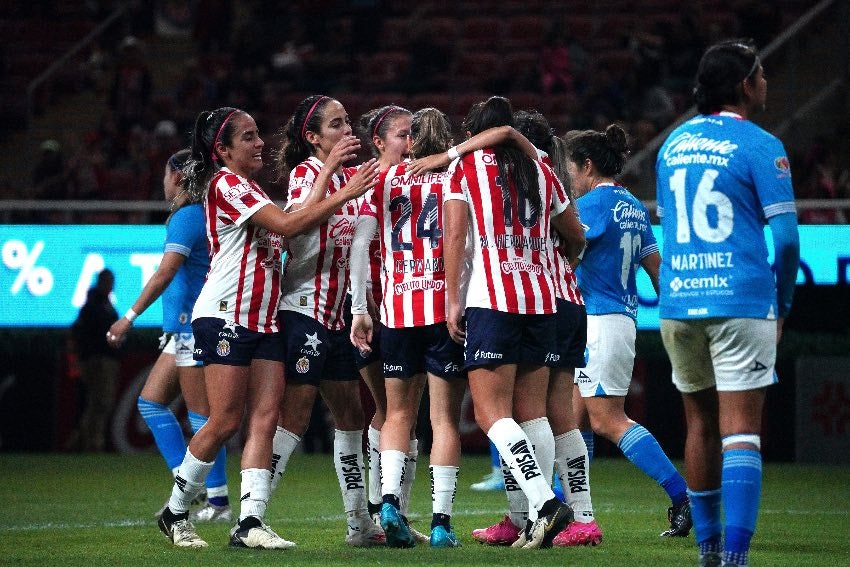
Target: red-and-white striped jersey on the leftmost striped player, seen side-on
<point>243,284</point>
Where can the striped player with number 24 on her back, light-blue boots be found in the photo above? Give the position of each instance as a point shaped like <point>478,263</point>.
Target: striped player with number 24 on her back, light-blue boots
<point>414,340</point>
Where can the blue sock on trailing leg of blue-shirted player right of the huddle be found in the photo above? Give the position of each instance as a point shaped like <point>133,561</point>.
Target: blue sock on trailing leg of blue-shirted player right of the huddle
<point>641,448</point>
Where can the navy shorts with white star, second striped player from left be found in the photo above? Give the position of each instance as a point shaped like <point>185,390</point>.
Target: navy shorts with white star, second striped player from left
<point>314,353</point>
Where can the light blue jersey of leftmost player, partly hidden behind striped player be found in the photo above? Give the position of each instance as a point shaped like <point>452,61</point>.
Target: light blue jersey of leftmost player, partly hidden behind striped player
<point>186,235</point>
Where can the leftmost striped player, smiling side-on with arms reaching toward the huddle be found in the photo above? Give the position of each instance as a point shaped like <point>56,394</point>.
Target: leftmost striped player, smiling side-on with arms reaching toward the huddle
<point>234,319</point>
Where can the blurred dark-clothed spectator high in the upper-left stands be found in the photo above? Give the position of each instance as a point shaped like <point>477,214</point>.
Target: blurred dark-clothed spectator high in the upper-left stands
<point>132,84</point>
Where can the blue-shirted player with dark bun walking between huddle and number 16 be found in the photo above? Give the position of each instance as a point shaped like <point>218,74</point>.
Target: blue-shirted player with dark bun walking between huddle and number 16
<point>619,239</point>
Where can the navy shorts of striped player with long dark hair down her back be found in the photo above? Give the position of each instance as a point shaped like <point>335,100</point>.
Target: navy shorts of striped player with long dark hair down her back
<point>495,337</point>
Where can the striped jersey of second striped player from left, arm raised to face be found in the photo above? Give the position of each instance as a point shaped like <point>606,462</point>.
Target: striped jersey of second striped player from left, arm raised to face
<point>316,278</point>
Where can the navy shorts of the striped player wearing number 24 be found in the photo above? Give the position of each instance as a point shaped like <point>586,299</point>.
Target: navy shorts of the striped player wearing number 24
<point>415,350</point>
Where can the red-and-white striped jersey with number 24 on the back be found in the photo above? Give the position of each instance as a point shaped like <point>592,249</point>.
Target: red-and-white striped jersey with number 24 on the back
<point>410,222</point>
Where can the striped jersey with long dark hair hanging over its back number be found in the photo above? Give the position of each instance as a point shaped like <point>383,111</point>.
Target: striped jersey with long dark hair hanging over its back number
<point>512,258</point>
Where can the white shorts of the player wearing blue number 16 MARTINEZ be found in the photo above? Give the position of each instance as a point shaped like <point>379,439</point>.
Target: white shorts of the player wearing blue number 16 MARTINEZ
<point>733,355</point>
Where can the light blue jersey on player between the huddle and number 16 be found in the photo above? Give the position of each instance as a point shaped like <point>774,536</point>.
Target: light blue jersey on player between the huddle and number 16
<point>619,236</point>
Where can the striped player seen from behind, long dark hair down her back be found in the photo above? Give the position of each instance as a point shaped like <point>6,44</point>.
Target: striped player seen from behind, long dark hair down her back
<point>506,201</point>
